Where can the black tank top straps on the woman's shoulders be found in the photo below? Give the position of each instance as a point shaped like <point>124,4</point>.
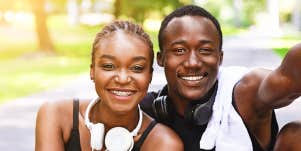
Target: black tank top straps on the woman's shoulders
<point>73,143</point>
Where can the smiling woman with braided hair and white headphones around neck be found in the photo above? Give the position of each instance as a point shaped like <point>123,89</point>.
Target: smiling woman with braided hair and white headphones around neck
<point>121,69</point>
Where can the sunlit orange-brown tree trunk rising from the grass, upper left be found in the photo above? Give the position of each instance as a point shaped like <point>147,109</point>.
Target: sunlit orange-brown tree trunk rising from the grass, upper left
<point>44,40</point>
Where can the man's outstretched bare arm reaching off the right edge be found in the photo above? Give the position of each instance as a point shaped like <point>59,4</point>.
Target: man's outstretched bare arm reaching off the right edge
<point>281,86</point>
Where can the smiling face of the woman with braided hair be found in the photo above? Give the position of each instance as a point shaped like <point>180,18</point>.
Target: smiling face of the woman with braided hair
<point>122,70</point>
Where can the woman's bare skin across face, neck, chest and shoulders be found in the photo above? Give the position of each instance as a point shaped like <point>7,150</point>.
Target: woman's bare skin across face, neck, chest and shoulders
<point>122,81</point>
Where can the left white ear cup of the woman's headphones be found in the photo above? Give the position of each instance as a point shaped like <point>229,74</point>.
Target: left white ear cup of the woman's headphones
<point>97,134</point>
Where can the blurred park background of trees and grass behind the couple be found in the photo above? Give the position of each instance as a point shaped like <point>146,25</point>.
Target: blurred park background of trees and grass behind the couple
<point>45,43</point>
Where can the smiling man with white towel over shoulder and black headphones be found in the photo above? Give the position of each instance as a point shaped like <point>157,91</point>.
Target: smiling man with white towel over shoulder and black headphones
<point>214,108</point>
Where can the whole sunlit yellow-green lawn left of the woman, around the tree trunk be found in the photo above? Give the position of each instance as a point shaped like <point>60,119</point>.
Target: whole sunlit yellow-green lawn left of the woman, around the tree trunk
<point>23,71</point>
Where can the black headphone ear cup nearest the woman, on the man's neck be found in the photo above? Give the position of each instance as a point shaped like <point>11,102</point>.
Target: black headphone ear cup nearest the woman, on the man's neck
<point>160,108</point>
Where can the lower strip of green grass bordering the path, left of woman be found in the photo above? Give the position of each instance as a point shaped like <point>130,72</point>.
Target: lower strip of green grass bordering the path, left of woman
<point>23,77</point>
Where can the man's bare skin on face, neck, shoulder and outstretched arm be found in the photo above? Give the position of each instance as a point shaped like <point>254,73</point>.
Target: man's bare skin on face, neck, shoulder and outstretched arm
<point>191,57</point>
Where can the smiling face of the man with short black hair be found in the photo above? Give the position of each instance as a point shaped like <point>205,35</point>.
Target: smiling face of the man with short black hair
<point>191,57</point>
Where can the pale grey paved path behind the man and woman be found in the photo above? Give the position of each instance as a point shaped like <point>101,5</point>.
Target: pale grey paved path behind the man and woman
<point>18,117</point>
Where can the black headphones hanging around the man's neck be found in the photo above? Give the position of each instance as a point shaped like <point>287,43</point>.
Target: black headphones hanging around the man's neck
<point>196,112</point>
